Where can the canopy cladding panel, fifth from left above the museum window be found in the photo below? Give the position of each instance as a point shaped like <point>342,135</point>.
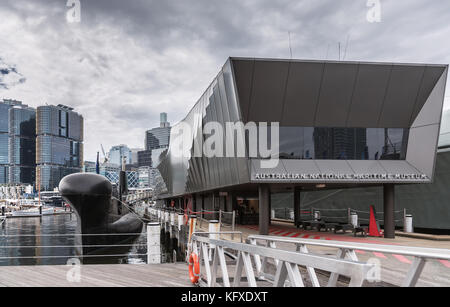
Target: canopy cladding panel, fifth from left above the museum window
<point>370,91</point>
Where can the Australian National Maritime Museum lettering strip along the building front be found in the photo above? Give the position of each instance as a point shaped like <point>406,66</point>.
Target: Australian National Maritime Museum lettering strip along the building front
<point>342,177</point>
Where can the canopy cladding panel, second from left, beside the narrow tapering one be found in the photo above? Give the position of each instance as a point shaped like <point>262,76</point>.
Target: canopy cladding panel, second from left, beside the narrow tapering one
<point>269,85</point>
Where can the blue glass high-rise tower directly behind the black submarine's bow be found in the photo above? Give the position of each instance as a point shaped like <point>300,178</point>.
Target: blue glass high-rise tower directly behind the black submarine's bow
<point>59,144</point>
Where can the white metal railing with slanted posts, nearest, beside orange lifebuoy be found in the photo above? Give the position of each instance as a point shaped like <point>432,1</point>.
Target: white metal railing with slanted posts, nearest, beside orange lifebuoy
<point>212,253</point>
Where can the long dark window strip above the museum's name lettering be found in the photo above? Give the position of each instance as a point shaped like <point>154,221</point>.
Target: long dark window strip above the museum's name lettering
<point>343,143</point>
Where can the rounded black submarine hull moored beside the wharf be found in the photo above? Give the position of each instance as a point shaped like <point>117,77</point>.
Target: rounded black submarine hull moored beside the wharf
<point>102,221</point>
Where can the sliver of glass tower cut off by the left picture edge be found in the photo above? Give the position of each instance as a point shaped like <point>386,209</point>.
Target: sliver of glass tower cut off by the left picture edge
<point>5,106</point>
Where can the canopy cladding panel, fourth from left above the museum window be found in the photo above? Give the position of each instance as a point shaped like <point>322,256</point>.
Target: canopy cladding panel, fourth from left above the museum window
<point>336,94</point>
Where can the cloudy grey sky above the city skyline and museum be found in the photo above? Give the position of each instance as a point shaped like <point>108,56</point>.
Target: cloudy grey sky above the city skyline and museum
<point>127,61</point>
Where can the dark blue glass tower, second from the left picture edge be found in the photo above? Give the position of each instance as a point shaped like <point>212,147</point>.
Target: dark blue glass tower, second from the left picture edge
<point>22,145</point>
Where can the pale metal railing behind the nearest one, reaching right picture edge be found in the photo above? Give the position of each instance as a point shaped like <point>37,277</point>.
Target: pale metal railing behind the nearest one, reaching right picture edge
<point>347,249</point>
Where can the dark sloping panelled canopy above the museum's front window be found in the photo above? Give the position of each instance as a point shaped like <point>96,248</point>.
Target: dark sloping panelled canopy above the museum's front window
<point>333,94</point>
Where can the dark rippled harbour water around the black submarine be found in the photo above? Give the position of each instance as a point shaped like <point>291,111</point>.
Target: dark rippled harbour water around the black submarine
<point>51,240</point>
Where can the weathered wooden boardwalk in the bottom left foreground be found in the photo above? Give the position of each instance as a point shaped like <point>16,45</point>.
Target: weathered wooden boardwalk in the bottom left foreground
<point>122,275</point>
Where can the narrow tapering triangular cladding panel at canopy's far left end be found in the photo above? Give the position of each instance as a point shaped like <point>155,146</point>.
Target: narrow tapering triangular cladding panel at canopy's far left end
<point>243,73</point>
